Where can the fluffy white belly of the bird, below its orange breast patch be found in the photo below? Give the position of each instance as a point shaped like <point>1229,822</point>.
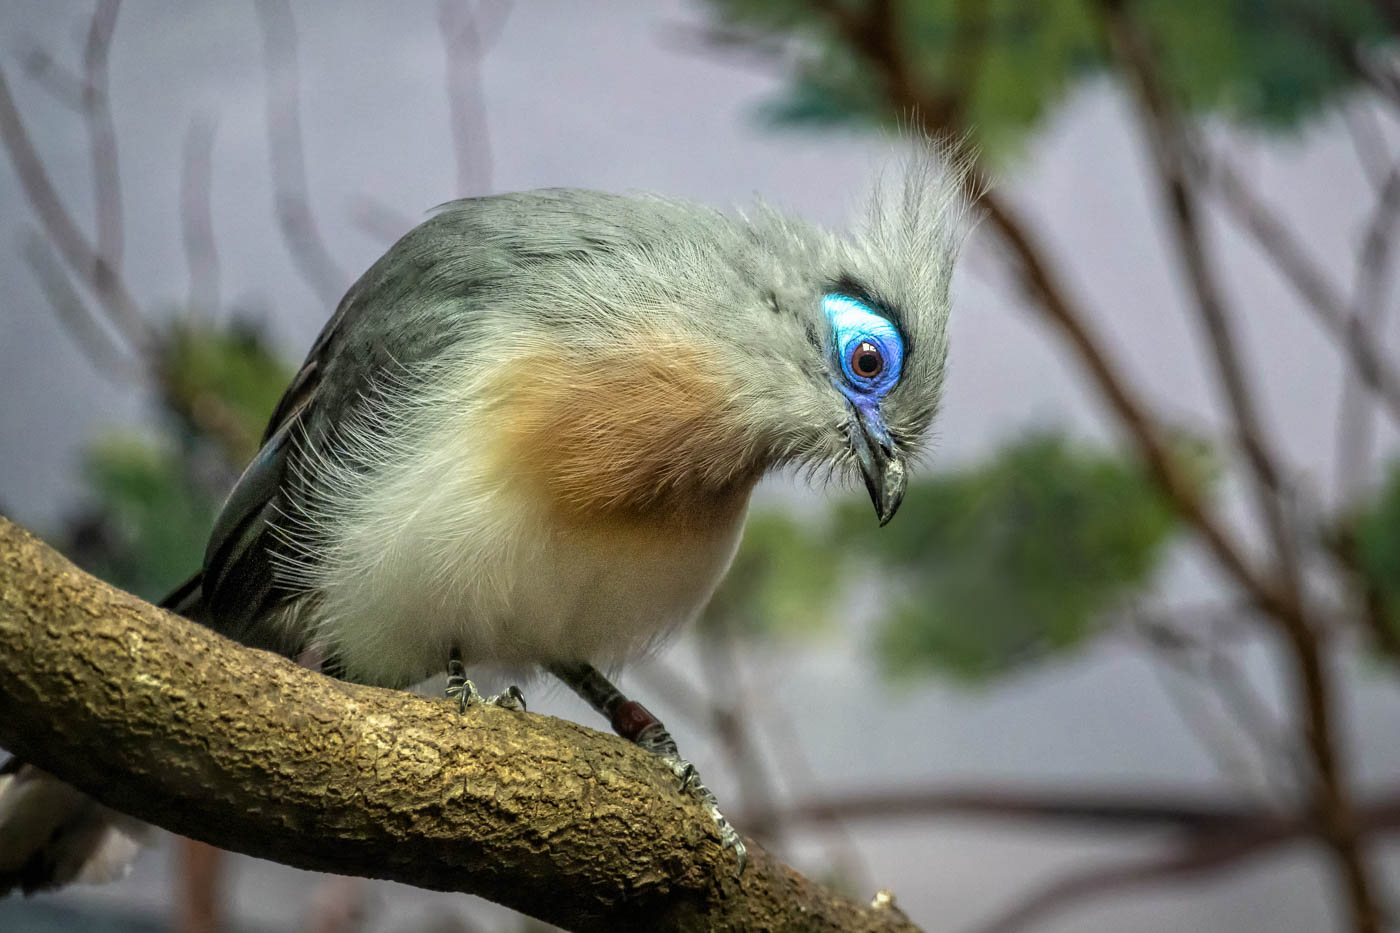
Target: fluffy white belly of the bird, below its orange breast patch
<point>443,555</point>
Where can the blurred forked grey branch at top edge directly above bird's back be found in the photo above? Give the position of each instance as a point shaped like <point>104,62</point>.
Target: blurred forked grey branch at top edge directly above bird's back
<point>468,34</point>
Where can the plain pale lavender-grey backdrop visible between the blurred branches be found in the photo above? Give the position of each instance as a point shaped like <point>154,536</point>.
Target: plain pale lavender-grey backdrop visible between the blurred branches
<point>607,97</point>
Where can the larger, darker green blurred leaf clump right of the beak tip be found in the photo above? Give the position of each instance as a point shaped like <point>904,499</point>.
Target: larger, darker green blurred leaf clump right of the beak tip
<point>1013,560</point>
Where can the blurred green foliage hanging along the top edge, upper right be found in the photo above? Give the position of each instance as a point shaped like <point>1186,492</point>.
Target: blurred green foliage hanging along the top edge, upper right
<point>1004,65</point>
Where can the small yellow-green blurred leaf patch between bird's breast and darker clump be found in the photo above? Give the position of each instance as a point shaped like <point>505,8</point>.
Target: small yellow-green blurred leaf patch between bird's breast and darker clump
<point>785,581</point>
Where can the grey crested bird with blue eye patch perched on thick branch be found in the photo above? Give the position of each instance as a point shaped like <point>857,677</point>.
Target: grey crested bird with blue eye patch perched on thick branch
<point>528,436</point>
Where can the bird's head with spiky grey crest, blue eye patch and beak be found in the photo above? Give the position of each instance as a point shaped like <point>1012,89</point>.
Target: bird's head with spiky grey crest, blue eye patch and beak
<point>838,345</point>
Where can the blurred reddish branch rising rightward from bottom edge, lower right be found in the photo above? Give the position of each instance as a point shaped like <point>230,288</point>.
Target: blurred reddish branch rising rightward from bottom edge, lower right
<point>1206,855</point>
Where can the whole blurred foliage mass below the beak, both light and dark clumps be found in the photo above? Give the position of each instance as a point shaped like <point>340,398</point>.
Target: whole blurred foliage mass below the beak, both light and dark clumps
<point>985,569</point>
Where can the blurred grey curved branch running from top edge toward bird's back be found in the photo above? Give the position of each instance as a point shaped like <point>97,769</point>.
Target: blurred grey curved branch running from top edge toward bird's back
<point>289,163</point>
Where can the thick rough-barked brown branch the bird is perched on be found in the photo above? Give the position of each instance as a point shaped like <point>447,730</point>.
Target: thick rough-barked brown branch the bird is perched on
<point>173,724</point>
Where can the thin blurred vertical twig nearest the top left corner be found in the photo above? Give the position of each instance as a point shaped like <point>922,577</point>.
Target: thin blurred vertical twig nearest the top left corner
<point>97,113</point>
